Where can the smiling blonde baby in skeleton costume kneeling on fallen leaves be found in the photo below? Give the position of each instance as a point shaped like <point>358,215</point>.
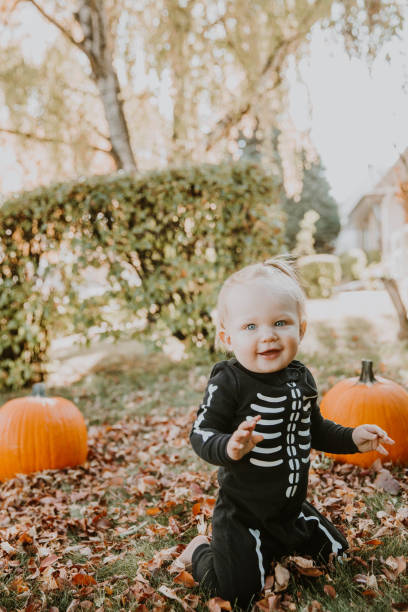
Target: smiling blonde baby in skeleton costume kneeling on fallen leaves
<point>258,421</point>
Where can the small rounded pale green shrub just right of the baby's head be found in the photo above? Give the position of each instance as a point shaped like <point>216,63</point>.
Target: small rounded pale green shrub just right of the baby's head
<point>319,274</point>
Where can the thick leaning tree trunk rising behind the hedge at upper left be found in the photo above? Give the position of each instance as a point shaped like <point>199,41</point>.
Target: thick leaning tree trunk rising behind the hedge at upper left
<point>92,18</point>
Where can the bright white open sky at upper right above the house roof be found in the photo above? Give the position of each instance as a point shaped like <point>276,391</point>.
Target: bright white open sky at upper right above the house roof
<point>358,120</point>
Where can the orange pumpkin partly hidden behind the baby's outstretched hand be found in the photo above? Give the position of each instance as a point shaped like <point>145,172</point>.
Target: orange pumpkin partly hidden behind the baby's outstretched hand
<point>378,401</point>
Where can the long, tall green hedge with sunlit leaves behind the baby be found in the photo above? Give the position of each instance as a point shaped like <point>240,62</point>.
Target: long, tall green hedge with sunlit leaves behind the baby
<point>164,242</point>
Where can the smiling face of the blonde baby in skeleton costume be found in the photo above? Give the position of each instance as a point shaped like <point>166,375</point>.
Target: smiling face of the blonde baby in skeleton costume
<point>262,327</point>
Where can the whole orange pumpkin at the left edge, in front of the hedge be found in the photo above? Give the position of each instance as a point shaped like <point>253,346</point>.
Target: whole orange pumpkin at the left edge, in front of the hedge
<point>40,433</point>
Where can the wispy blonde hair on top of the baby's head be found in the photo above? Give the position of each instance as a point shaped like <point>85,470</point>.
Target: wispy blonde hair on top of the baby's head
<point>279,269</point>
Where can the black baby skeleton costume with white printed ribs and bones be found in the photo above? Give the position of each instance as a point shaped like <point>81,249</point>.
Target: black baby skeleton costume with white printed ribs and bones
<point>261,512</point>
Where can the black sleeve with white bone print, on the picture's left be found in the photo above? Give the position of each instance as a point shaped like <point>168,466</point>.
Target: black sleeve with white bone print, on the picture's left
<point>214,423</point>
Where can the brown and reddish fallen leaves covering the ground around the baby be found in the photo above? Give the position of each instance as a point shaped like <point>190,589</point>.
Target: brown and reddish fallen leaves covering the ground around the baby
<point>139,497</point>
